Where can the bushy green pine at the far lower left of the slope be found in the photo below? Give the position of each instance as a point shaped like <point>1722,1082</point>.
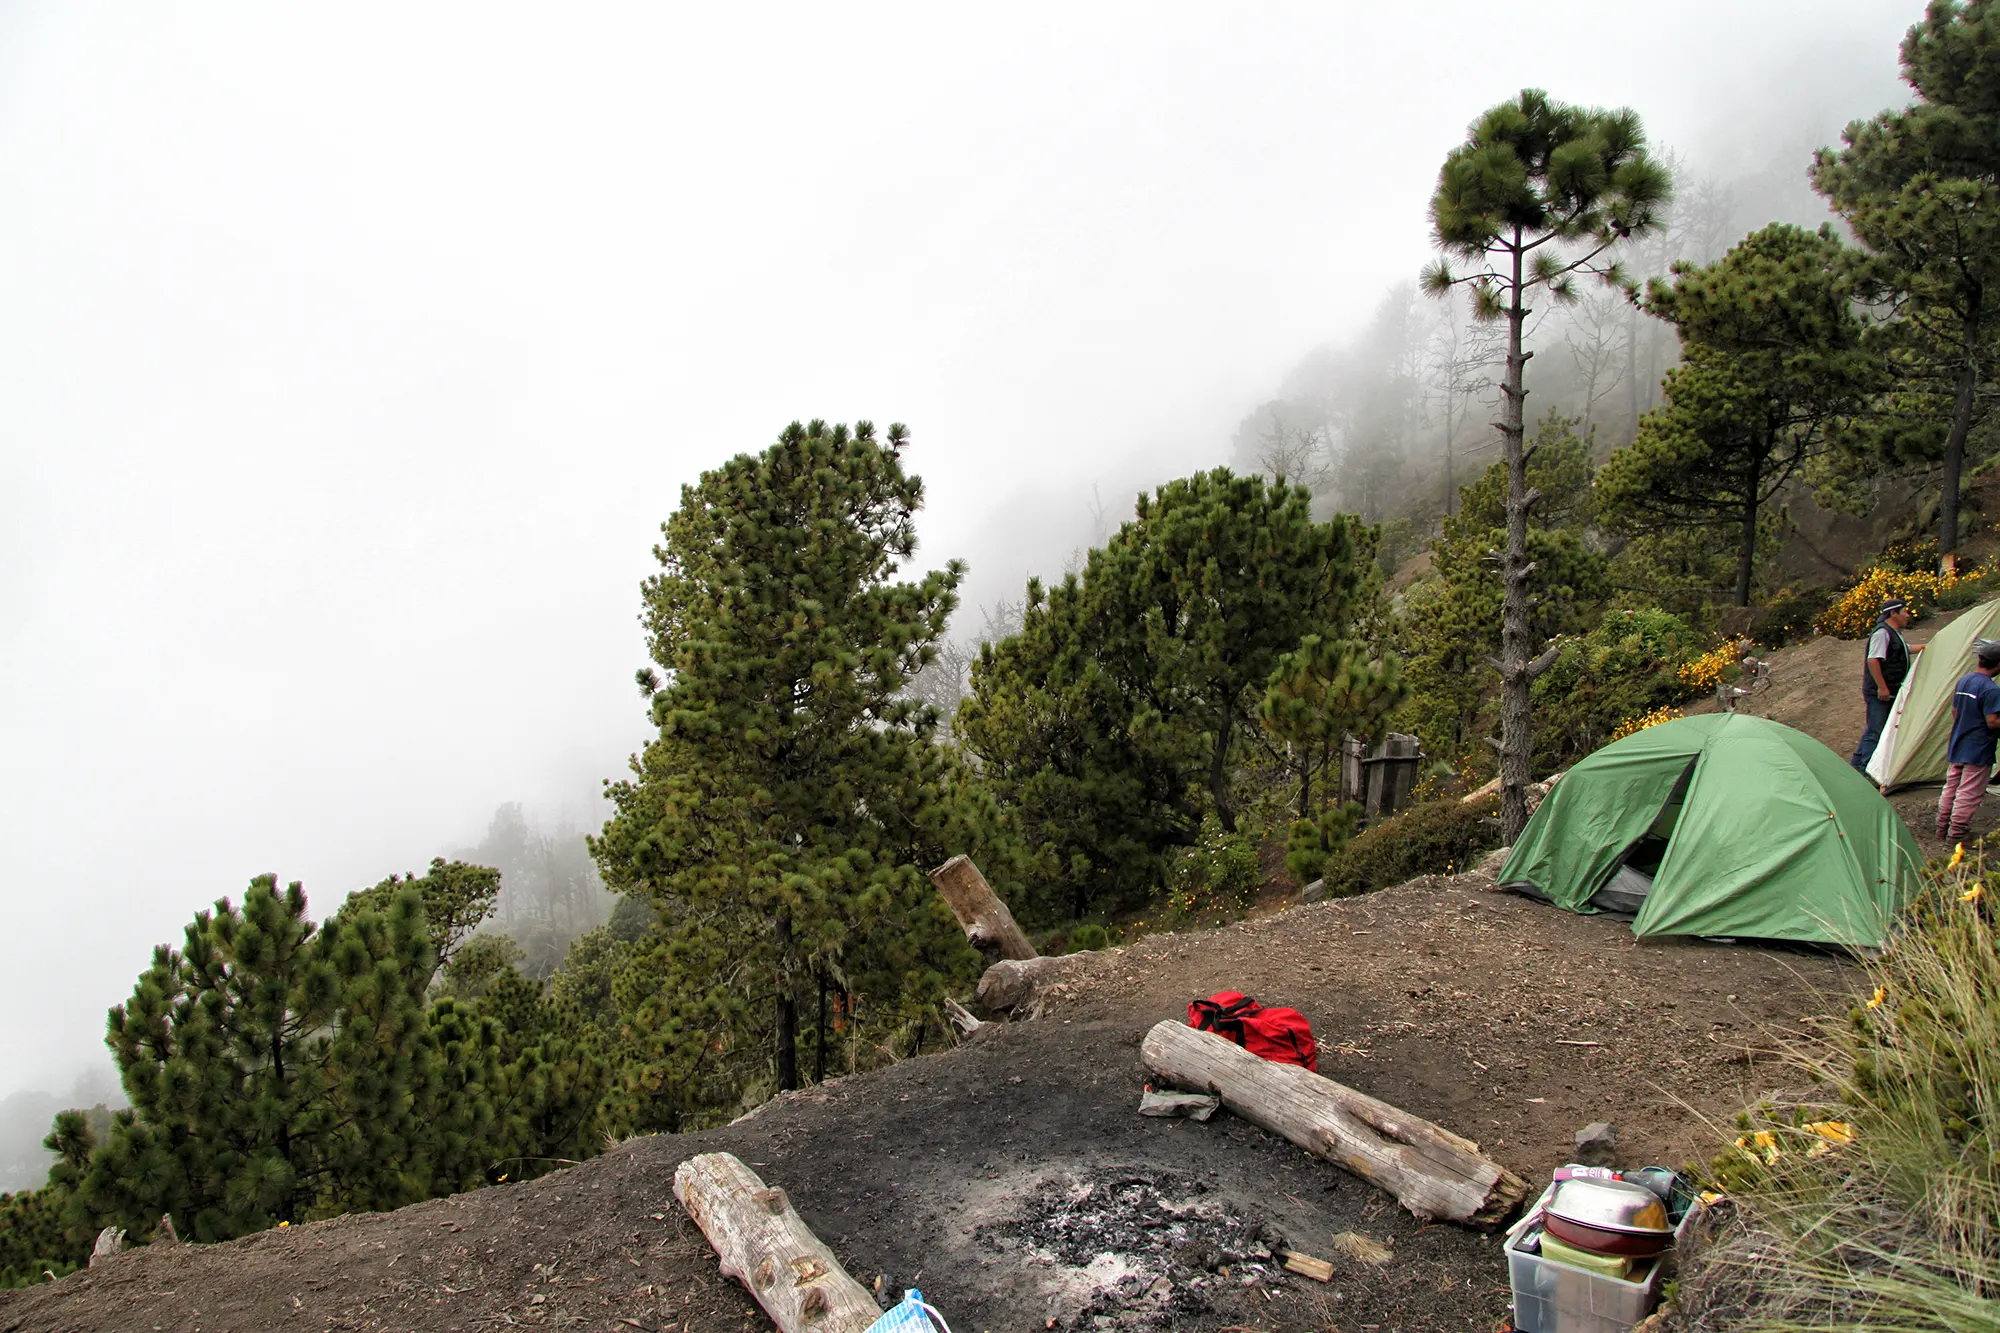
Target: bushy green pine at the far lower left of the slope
<point>277,1070</point>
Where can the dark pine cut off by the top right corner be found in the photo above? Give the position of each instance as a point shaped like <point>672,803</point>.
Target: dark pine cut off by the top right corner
<point>1921,189</point>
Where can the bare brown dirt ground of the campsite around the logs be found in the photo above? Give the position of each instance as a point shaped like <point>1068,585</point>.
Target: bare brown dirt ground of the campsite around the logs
<point>1015,1182</point>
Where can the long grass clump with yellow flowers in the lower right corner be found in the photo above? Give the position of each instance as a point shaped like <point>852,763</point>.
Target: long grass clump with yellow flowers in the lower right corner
<point>1875,1202</point>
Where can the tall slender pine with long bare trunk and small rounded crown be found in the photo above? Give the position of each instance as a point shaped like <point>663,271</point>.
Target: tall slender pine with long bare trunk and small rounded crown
<point>1535,197</point>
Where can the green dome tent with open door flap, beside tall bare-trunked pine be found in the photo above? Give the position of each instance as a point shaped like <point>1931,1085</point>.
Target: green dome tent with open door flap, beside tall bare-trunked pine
<point>1721,826</point>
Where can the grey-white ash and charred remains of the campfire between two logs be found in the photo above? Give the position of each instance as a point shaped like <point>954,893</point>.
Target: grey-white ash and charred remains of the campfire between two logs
<point>1137,1248</point>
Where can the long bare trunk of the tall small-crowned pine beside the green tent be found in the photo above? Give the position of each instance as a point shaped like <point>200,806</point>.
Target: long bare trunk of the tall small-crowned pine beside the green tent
<point>1517,674</point>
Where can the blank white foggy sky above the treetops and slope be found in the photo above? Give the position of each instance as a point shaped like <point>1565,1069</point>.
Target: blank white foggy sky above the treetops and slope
<point>351,357</point>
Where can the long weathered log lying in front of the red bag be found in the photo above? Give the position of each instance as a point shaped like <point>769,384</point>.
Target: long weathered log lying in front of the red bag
<point>1431,1172</point>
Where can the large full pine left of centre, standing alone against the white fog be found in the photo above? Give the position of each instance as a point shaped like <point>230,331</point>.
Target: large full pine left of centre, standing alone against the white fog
<point>795,790</point>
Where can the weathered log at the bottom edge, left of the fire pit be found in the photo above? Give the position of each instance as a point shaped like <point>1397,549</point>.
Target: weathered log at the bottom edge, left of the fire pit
<point>767,1248</point>
